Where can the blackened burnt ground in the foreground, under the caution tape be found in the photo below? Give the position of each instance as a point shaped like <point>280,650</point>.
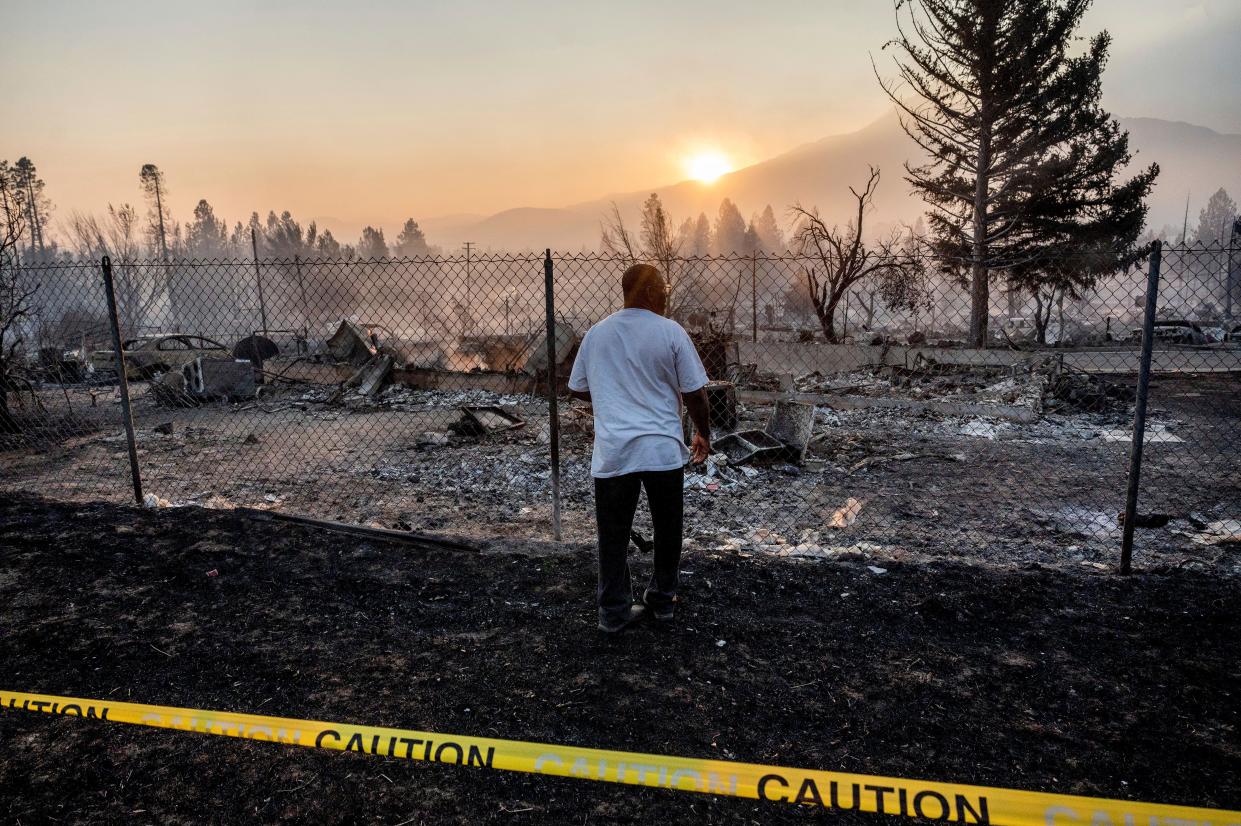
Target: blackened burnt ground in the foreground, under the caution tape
<point>1072,682</point>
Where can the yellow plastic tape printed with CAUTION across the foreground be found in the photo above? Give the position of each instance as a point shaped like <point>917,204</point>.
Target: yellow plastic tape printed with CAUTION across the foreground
<point>929,799</point>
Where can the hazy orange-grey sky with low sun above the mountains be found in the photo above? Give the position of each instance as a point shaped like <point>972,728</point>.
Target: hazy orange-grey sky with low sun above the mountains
<point>372,112</point>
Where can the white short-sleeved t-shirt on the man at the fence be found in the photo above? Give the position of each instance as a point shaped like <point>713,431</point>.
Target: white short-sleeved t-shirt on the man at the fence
<point>636,366</point>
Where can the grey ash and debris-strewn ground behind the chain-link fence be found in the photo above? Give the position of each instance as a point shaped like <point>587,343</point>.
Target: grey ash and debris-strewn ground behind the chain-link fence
<point>879,484</point>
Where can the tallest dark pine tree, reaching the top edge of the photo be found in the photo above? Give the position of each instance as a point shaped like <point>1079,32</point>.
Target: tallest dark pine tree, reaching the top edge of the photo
<point>1022,156</point>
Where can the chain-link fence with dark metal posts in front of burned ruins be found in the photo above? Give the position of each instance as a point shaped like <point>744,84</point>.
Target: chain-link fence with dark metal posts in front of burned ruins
<point>852,416</point>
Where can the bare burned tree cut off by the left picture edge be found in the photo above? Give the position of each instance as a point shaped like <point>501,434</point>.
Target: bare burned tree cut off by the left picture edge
<point>16,300</point>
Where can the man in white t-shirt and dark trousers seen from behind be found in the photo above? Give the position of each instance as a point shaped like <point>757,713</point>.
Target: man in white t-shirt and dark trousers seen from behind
<point>636,368</point>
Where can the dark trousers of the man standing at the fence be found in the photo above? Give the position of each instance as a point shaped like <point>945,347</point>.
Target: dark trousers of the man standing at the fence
<point>616,500</point>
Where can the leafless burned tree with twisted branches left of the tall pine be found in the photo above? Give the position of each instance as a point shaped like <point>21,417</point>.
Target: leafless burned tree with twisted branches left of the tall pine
<point>846,261</point>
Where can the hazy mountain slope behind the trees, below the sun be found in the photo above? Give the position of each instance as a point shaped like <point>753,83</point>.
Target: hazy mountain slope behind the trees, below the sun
<point>1193,159</point>
